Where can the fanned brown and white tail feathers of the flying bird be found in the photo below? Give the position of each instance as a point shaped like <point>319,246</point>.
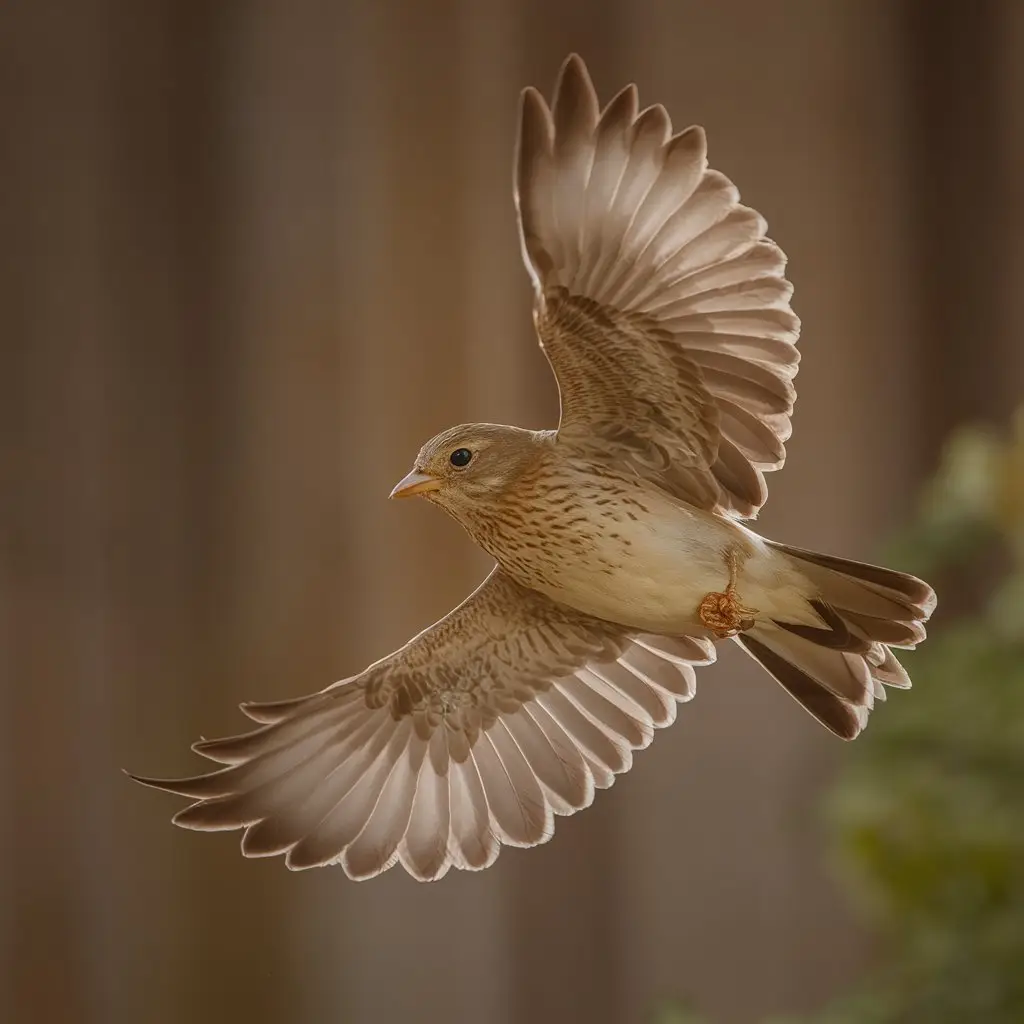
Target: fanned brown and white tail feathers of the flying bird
<point>838,670</point>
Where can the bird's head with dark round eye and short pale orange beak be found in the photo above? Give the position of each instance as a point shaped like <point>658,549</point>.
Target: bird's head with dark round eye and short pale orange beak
<point>471,465</point>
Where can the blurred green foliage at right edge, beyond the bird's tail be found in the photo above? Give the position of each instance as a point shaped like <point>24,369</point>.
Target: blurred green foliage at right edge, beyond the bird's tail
<point>927,817</point>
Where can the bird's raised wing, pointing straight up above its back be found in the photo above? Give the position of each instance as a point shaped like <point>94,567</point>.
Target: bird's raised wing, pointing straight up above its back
<point>662,307</point>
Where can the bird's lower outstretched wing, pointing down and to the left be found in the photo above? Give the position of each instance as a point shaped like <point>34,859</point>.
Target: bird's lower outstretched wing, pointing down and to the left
<point>509,710</point>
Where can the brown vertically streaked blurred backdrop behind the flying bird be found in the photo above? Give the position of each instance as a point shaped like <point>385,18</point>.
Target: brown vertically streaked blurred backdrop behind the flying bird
<point>254,253</point>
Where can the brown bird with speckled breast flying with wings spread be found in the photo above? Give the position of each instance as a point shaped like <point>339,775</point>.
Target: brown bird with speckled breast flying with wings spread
<point>621,557</point>
